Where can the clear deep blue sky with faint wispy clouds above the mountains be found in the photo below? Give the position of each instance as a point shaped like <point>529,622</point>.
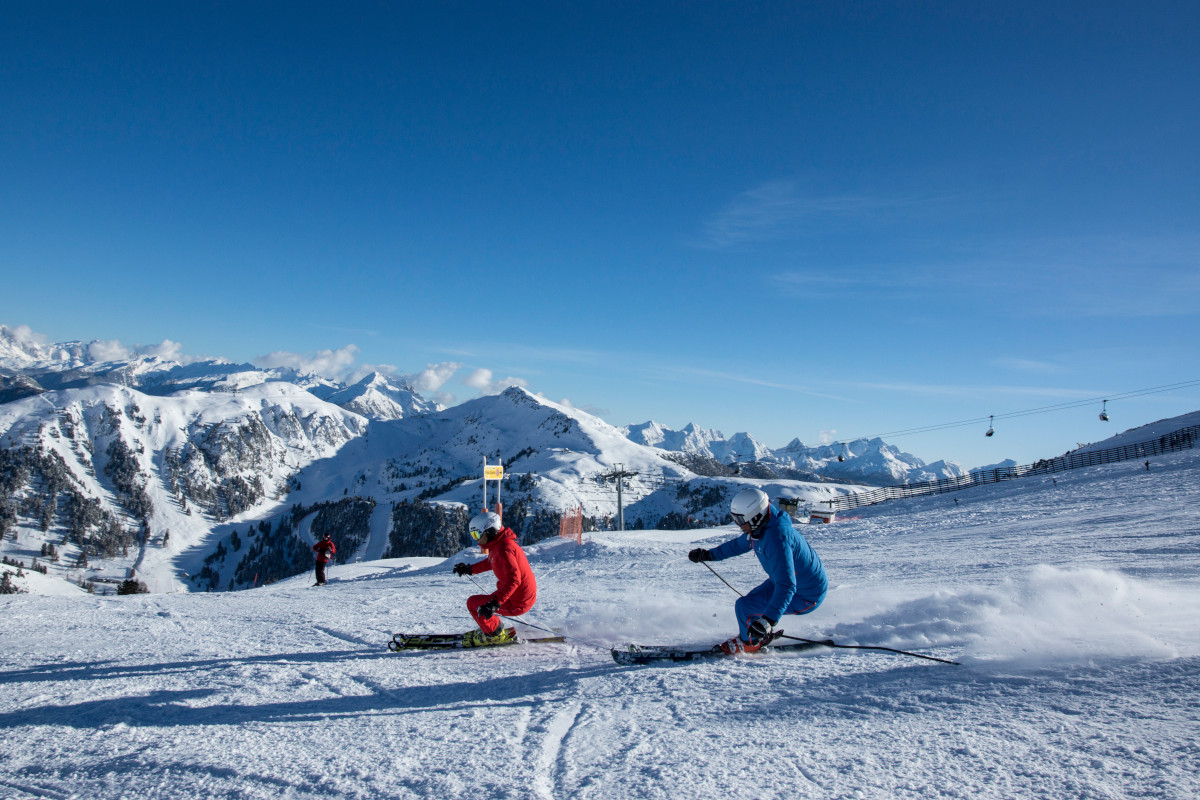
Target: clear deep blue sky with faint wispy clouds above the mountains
<point>811,220</point>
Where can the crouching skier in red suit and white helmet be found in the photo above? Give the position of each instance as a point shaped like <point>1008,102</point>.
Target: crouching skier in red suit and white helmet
<point>515,586</point>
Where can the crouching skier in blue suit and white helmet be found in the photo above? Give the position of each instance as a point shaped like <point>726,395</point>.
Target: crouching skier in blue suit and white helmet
<point>796,580</point>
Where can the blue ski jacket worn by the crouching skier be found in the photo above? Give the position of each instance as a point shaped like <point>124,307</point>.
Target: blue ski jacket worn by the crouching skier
<point>791,564</point>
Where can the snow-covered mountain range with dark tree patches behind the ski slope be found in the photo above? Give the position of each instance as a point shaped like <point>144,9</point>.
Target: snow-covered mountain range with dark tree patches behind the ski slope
<point>211,474</point>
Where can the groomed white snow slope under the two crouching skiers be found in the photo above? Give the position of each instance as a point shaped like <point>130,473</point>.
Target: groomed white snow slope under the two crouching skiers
<point>1071,603</point>
